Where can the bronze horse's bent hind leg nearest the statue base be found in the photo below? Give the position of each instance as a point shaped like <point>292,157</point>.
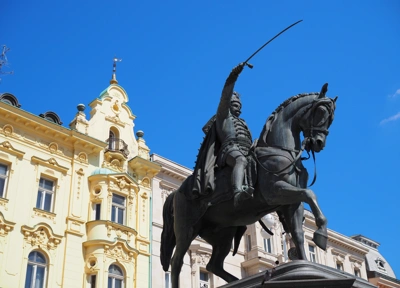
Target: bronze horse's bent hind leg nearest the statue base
<point>220,251</point>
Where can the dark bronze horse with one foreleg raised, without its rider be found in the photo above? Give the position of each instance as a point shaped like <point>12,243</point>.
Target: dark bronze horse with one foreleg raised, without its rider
<point>281,186</point>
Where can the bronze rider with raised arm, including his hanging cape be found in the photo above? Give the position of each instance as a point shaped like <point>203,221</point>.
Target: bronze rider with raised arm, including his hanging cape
<point>227,143</point>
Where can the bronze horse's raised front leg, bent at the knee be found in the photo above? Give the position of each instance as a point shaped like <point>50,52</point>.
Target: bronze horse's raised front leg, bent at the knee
<point>284,193</point>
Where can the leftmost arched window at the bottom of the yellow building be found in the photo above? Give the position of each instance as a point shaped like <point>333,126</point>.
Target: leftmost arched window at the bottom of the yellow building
<point>36,271</point>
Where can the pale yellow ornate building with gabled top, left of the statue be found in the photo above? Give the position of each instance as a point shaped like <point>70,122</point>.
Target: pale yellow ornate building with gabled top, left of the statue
<point>75,203</point>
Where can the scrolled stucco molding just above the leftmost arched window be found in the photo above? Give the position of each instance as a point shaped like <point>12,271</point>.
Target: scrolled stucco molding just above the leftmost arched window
<point>41,235</point>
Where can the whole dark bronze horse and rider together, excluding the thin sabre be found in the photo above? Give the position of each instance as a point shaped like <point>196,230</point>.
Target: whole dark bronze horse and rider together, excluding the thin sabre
<point>236,182</point>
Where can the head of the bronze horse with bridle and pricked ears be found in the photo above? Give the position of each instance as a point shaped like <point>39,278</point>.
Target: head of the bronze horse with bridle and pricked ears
<point>316,120</point>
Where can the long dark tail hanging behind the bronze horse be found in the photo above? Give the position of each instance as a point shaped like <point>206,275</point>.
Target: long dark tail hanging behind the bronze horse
<point>168,240</point>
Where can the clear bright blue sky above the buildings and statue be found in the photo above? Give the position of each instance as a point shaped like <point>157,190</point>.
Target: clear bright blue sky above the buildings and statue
<point>177,55</point>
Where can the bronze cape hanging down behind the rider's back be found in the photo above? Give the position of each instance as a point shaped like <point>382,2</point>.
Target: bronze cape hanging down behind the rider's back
<point>202,181</point>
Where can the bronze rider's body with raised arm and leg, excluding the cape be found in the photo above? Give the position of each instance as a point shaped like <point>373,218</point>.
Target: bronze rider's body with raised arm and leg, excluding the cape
<point>234,136</point>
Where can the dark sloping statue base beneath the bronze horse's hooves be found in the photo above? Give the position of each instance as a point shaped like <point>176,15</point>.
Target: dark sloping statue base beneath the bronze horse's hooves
<point>301,273</point>
